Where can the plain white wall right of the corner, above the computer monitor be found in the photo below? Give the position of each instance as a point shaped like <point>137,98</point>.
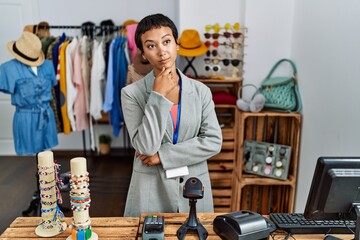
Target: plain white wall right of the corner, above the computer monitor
<point>326,48</point>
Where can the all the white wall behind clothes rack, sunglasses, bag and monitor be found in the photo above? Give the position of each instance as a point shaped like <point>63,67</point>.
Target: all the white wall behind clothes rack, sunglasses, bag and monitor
<point>320,35</point>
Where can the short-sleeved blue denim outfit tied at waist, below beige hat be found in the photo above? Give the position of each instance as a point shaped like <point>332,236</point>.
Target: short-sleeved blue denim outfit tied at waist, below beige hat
<point>34,127</point>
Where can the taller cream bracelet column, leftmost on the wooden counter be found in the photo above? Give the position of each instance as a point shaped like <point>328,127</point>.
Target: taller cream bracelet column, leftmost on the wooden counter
<point>52,222</point>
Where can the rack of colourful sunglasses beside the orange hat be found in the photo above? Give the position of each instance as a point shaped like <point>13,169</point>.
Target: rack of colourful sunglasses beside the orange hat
<point>225,57</point>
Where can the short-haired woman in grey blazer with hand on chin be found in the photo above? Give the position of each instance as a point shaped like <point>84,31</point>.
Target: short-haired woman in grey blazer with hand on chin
<point>172,125</point>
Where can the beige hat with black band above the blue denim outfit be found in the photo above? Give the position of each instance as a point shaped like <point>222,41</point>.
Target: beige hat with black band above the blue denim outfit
<point>27,49</point>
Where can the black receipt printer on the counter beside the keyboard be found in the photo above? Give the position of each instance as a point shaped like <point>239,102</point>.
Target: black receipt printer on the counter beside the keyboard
<point>242,225</point>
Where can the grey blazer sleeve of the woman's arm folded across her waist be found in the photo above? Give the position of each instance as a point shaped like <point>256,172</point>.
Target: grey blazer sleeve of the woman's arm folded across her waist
<point>206,144</point>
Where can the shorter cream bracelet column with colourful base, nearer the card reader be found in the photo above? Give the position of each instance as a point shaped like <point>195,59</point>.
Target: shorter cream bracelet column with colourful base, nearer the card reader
<point>80,201</point>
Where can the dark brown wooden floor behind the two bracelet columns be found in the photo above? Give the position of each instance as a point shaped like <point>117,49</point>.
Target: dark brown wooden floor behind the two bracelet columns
<point>109,181</point>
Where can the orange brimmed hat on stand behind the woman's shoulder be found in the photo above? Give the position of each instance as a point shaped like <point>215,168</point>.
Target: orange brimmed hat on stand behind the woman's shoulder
<point>190,44</point>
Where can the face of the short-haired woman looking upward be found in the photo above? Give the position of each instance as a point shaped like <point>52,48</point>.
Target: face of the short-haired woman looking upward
<point>160,48</point>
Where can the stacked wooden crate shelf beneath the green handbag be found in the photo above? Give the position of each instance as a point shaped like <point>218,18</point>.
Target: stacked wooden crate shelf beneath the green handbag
<point>261,194</point>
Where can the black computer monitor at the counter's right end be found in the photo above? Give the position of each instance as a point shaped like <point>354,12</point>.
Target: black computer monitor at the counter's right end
<point>335,190</point>
